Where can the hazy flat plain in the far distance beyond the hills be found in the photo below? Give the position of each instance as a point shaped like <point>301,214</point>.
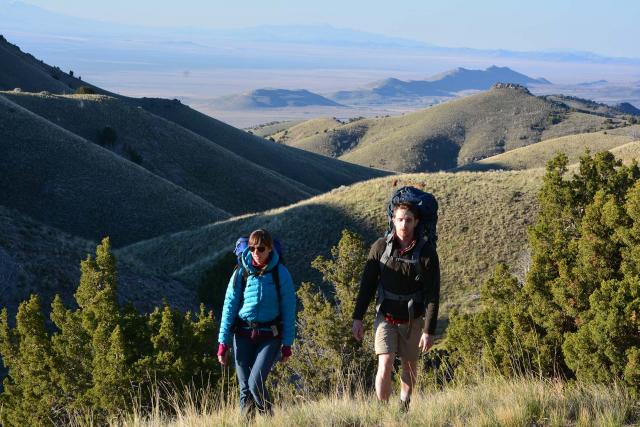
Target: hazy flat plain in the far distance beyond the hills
<point>197,88</point>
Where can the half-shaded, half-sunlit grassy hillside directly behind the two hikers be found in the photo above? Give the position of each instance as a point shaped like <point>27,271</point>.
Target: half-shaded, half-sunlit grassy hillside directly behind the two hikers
<point>483,220</point>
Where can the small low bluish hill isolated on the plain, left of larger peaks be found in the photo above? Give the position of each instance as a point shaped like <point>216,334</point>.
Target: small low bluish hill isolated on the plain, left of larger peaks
<point>272,98</point>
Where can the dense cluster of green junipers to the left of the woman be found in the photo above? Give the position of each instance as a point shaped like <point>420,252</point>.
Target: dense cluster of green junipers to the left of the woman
<point>98,353</point>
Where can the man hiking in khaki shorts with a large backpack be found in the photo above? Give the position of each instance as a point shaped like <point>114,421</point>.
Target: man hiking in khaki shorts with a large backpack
<point>403,268</point>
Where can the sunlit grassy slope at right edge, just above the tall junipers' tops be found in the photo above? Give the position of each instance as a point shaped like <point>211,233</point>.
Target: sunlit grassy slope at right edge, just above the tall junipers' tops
<point>536,155</point>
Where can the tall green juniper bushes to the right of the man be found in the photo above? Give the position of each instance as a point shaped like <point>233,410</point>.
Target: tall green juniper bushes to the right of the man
<point>577,314</point>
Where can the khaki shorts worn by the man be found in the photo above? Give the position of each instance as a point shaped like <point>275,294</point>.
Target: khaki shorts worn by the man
<point>397,339</point>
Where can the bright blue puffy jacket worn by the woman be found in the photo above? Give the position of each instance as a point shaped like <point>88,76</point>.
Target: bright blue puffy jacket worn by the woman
<point>260,303</point>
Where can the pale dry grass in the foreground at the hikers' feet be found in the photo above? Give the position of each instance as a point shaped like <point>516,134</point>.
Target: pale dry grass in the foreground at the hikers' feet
<point>491,402</point>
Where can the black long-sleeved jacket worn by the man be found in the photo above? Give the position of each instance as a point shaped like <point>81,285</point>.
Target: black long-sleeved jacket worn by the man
<point>400,278</point>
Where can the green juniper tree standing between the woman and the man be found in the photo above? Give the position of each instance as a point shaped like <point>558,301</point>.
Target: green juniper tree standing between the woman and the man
<point>327,353</point>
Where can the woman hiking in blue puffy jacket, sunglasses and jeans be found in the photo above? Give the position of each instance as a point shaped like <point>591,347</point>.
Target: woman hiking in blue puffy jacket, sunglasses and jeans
<point>258,319</point>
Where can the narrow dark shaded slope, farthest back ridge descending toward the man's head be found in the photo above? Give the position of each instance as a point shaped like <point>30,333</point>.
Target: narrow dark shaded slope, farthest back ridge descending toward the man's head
<point>311,169</point>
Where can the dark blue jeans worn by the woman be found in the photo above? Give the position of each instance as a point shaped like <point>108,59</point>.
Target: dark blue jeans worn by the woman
<point>254,360</point>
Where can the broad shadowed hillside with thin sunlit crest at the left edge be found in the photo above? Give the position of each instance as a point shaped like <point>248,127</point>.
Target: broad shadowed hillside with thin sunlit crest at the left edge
<point>167,150</point>
